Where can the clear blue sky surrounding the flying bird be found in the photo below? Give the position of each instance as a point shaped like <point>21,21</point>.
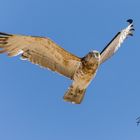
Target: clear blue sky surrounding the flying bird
<point>31,104</point>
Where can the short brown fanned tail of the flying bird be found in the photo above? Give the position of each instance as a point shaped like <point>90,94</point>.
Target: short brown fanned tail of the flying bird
<point>74,95</point>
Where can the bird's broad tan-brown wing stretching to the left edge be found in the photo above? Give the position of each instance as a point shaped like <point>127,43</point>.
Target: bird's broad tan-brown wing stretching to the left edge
<point>41,51</point>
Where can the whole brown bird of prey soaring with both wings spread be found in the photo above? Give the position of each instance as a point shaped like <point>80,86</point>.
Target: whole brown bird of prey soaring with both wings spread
<point>45,53</point>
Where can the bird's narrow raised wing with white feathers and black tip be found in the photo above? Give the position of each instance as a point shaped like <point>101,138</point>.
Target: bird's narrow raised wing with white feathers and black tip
<point>116,42</point>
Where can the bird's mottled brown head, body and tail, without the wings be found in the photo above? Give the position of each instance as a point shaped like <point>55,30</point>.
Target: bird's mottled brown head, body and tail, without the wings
<point>82,77</point>
